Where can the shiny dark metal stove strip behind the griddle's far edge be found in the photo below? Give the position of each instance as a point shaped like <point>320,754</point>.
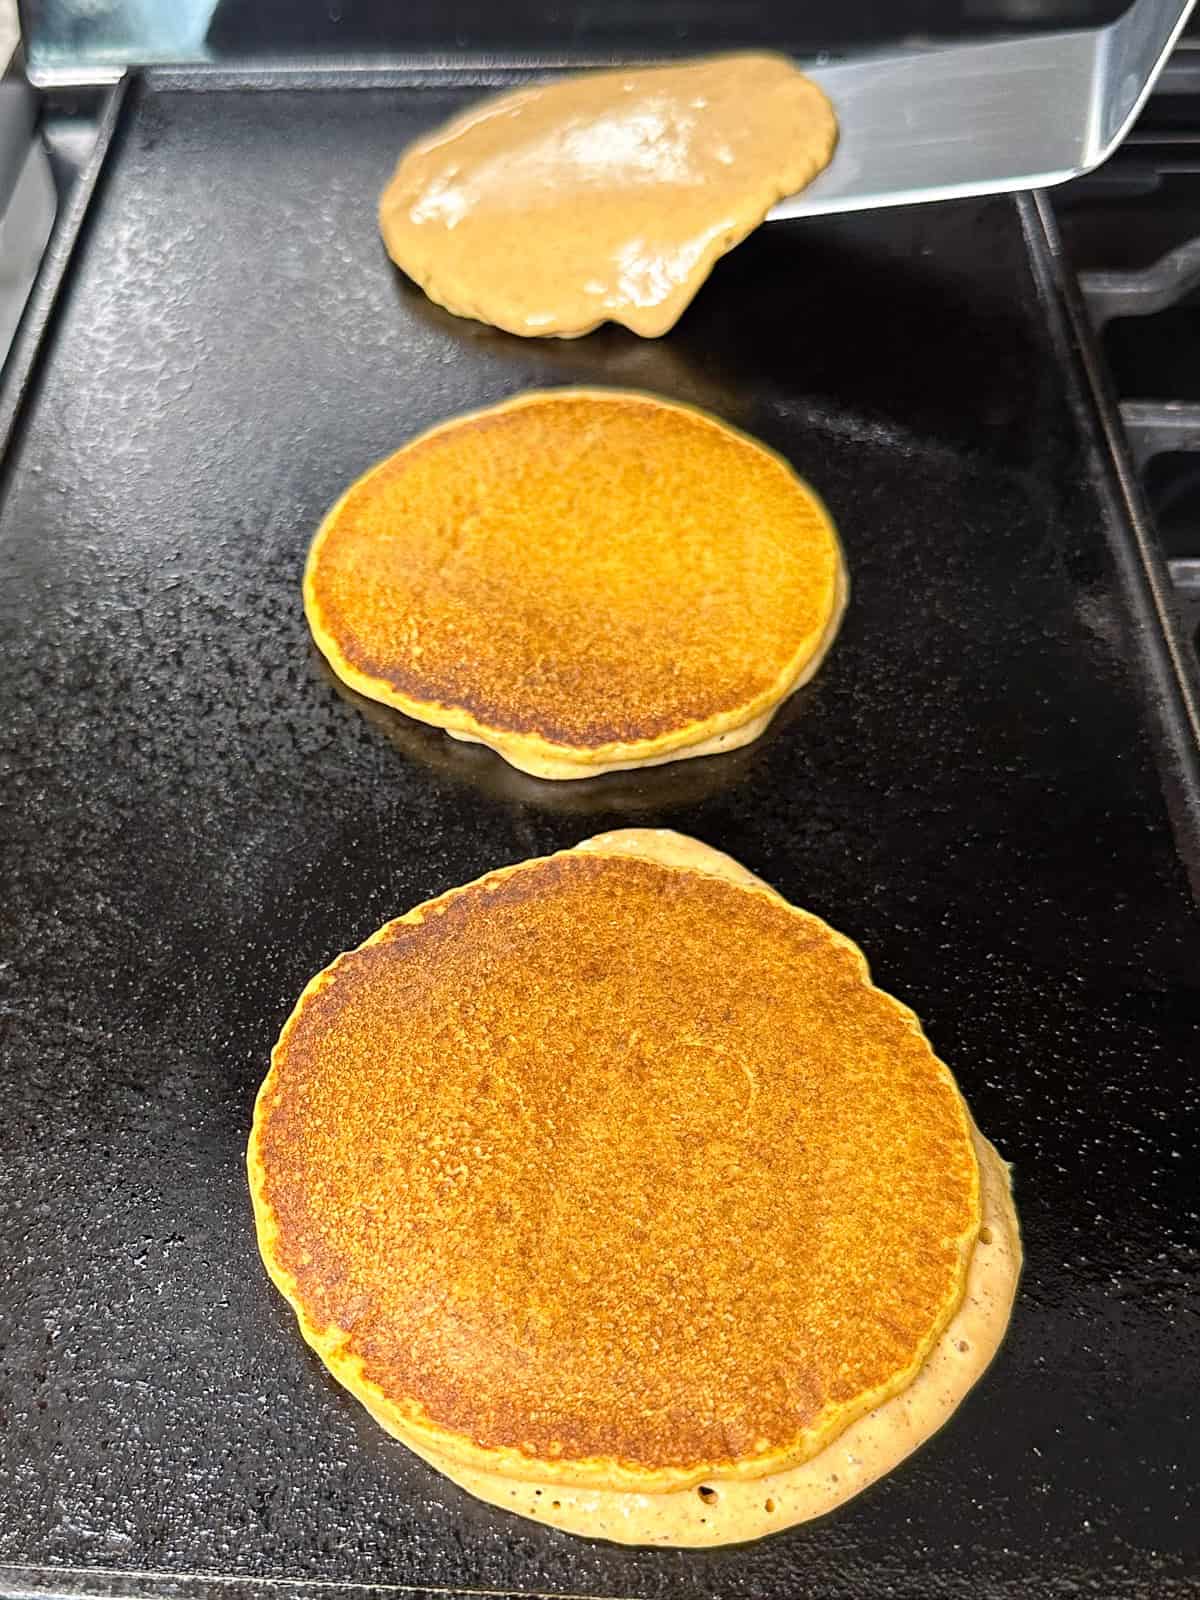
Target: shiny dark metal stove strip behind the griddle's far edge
<point>68,38</point>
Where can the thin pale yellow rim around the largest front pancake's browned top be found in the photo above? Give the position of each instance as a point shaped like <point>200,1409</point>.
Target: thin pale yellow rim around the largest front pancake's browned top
<point>407,1420</point>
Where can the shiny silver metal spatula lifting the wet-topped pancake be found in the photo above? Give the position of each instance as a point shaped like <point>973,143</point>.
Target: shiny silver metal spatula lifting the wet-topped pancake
<point>983,119</point>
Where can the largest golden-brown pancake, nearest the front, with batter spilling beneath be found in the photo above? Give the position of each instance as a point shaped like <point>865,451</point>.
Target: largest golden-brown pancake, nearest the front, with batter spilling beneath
<point>614,1188</point>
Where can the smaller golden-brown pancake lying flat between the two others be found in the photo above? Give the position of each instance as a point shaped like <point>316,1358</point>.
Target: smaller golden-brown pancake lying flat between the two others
<point>583,580</point>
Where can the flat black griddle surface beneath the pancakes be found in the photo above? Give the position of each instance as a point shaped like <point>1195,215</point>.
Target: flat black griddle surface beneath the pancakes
<point>198,818</point>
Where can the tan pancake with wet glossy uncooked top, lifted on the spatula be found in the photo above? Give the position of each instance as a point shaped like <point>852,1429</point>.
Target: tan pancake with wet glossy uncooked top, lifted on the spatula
<point>607,196</point>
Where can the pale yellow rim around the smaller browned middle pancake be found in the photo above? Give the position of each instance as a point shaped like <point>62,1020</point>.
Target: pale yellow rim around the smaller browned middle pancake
<point>529,751</point>
